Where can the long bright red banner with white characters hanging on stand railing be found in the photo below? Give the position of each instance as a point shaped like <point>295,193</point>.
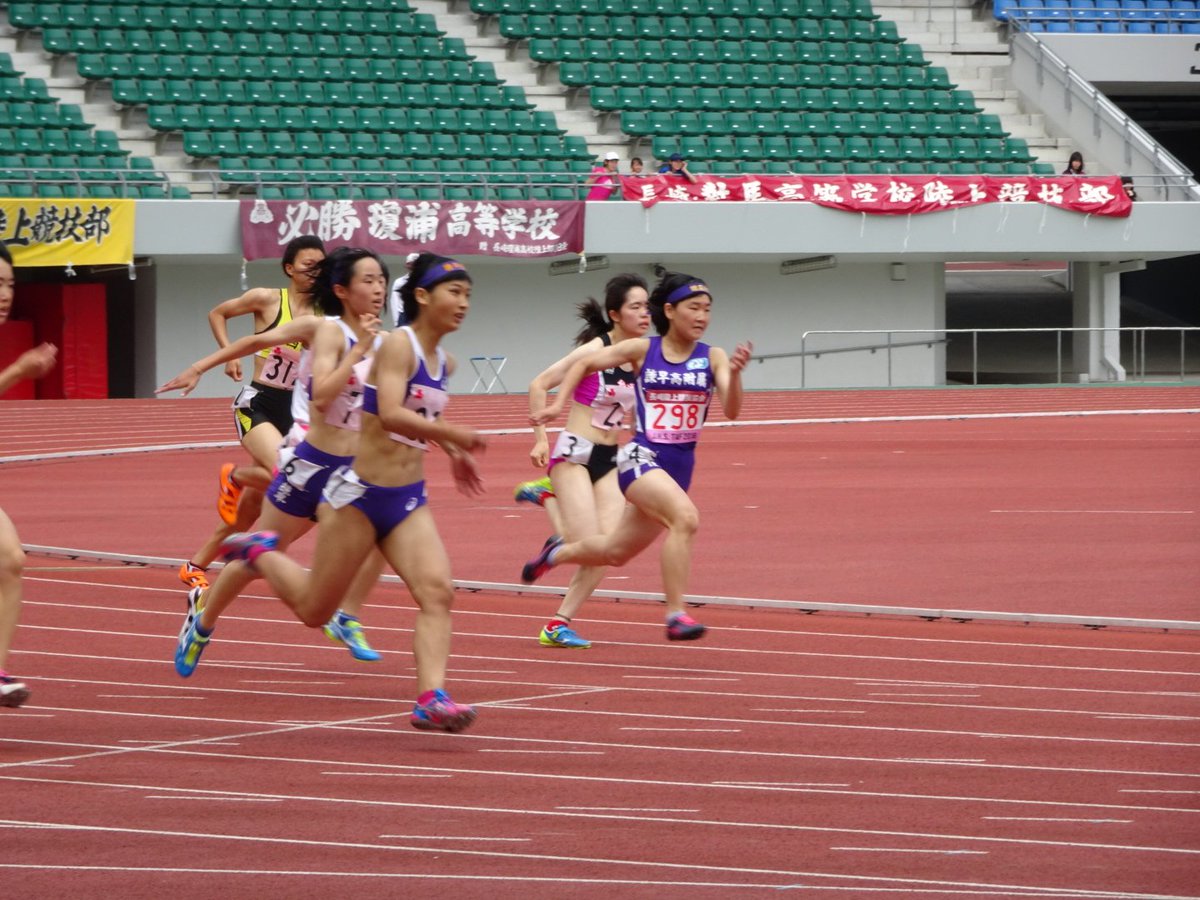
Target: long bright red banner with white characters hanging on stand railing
<point>890,195</point>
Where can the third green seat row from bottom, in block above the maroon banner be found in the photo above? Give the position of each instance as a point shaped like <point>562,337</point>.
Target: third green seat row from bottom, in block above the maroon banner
<point>350,146</point>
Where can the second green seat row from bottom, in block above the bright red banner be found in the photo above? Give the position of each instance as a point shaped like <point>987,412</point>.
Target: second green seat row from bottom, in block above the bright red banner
<point>886,149</point>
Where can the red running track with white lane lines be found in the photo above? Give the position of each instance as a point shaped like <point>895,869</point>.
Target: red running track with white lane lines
<point>842,755</point>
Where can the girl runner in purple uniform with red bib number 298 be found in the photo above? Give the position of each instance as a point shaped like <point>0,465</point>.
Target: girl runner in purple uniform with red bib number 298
<point>677,375</point>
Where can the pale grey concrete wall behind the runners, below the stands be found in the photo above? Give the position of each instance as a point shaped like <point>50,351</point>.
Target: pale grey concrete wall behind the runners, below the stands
<point>521,313</point>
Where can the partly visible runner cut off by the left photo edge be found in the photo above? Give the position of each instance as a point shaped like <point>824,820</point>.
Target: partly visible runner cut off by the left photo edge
<point>32,364</point>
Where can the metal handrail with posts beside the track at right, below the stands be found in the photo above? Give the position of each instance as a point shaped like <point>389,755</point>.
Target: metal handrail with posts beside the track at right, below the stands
<point>1138,334</point>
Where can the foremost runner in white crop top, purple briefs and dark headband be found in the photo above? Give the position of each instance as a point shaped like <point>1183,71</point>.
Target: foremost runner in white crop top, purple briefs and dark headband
<point>381,500</point>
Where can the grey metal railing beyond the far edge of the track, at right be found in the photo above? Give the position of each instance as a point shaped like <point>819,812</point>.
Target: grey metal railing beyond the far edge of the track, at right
<point>1139,353</point>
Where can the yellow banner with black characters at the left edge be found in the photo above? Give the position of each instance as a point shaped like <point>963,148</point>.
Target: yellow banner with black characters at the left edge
<point>57,232</point>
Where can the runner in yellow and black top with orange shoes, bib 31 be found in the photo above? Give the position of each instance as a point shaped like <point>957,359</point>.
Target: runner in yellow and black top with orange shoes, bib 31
<point>263,409</point>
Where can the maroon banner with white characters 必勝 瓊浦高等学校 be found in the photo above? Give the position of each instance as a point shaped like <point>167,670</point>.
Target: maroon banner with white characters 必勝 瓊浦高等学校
<point>494,229</point>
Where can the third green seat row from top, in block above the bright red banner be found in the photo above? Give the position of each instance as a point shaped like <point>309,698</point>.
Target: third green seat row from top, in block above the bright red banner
<point>562,50</point>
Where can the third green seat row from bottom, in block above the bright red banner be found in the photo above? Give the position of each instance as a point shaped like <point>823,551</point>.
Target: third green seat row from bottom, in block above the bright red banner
<point>968,125</point>
